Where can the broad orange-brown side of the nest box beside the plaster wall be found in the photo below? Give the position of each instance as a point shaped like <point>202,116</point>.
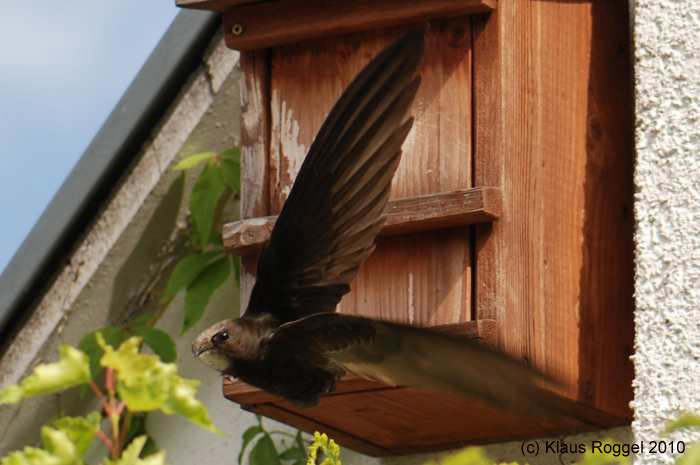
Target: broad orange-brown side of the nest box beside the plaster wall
<point>553,129</point>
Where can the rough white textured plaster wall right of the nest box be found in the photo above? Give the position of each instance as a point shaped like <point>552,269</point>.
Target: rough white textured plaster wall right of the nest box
<point>667,208</point>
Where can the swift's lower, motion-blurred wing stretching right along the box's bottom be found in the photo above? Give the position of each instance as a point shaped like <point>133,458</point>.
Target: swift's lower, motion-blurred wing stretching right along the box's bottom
<point>402,355</point>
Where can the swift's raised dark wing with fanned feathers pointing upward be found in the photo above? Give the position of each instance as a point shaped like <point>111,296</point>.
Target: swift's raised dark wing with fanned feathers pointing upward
<point>328,224</point>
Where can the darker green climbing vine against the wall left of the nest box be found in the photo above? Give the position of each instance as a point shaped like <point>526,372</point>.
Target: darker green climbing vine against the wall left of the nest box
<point>199,272</point>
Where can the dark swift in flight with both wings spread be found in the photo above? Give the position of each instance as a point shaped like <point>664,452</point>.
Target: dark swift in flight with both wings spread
<point>289,341</point>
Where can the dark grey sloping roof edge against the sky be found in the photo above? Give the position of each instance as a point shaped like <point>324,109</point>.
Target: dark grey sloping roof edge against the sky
<point>113,149</point>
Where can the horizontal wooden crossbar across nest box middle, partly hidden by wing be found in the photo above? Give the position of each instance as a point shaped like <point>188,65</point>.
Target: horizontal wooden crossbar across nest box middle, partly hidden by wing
<point>403,216</point>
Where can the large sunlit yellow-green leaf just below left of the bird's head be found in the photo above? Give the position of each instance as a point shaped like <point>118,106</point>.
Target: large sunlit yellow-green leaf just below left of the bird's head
<point>145,383</point>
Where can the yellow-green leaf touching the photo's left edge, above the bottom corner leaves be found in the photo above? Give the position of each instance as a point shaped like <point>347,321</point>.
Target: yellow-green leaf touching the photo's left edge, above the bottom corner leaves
<point>72,369</point>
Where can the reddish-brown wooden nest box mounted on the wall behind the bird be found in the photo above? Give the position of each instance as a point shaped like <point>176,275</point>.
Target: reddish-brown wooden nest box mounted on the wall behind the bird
<point>511,218</point>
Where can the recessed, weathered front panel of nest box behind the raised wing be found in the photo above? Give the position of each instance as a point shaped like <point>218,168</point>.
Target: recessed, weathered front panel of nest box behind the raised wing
<point>424,278</point>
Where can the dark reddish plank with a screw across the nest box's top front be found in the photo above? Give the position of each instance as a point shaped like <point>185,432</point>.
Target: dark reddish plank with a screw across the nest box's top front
<point>268,24</point>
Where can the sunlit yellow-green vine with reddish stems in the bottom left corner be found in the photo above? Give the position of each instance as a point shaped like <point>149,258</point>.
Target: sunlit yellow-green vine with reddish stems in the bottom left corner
<point>134,383</point>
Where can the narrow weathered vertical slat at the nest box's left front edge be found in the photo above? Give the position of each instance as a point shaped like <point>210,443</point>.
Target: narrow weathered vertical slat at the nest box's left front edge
<point>255,143</point>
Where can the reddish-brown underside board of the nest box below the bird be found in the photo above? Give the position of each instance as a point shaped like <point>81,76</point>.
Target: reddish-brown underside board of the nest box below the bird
<point>406,421</point>
